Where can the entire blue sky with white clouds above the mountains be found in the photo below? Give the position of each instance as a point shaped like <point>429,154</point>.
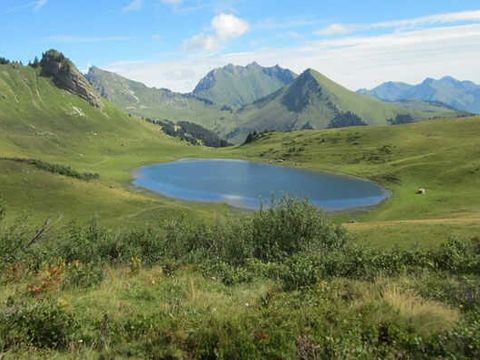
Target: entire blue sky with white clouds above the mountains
<point>174,43</point>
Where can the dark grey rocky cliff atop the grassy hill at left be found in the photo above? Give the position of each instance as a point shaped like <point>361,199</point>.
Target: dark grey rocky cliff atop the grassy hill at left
<point>66,76</point>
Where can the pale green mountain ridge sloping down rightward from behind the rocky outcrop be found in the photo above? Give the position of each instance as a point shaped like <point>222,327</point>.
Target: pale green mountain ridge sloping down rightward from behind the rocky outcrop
<point>159,104</point>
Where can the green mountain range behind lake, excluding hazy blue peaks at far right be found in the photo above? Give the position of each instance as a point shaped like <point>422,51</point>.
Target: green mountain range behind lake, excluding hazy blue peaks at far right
<point>234,100</point>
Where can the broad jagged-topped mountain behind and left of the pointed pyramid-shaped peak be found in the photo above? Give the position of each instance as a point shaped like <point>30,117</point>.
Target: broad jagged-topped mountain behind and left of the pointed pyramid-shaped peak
<point>237,86</point>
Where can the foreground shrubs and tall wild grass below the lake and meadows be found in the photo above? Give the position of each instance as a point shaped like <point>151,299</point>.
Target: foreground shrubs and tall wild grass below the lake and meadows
<point>280,283</point>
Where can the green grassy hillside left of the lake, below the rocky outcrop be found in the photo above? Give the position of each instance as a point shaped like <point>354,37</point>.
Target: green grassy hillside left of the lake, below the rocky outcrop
<point>39,121</point>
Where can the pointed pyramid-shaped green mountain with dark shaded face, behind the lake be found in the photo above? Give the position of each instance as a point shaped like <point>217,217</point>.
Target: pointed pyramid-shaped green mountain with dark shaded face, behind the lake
<point>314,101</point>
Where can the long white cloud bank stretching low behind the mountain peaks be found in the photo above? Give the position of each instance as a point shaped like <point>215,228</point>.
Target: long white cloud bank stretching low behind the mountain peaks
<point>352,61</point>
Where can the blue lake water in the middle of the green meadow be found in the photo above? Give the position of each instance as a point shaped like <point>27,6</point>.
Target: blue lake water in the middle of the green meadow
<point>245,184</point>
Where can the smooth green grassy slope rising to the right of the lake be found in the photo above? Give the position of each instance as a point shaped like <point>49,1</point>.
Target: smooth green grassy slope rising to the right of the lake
<point>442,155</point>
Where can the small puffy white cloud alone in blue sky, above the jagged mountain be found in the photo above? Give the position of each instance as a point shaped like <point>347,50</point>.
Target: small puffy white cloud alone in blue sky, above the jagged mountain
<point>224,27</point>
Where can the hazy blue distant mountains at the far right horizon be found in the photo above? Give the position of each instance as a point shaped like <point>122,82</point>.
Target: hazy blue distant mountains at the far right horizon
<point>461,95</point>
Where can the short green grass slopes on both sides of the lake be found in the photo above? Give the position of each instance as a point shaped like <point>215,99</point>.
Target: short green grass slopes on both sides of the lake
<point>39,121</point>
